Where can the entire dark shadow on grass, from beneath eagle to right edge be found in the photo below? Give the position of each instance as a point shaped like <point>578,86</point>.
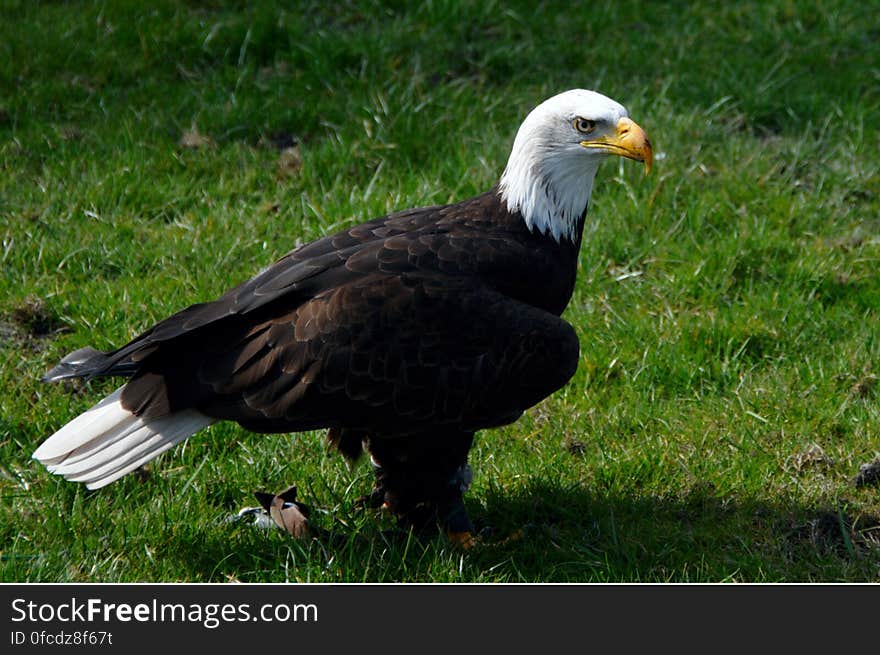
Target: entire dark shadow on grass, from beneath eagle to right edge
<point>546,533</point>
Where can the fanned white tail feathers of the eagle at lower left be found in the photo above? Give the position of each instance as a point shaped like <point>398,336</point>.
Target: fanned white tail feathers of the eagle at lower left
<point>107,441</point>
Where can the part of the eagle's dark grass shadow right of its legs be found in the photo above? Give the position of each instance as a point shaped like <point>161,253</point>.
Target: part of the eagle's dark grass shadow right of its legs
<point>571,534</point>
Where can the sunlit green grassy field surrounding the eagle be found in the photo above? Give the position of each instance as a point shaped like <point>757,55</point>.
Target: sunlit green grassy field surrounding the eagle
<point>727,305</point>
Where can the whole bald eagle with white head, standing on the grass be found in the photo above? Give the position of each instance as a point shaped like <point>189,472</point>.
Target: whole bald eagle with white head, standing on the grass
<point>402,336</point>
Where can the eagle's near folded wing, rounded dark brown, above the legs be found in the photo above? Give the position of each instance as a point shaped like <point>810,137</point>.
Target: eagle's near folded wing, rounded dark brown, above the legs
<point>388,354</point>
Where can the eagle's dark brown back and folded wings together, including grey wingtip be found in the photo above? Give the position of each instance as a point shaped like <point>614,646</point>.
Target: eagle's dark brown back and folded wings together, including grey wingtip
<point>428,316</point>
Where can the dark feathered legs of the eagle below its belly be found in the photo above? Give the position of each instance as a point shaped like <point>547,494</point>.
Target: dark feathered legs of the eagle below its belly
<point>422,482</point>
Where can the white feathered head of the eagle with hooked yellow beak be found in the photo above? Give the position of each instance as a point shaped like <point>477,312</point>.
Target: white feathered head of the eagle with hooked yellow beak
<point>557,150</point>
